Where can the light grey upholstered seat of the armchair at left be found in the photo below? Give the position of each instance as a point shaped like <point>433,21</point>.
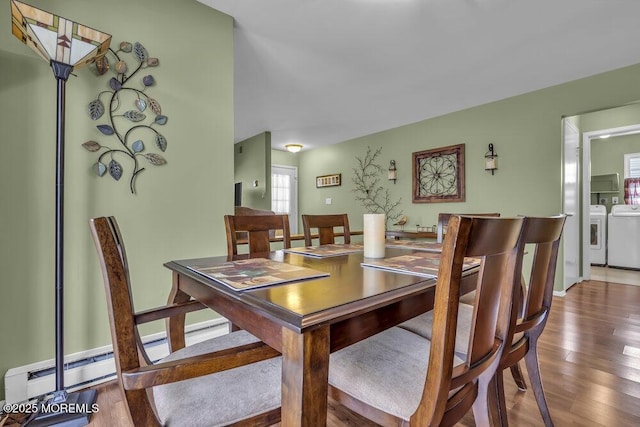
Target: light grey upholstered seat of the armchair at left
<point>221,398</point>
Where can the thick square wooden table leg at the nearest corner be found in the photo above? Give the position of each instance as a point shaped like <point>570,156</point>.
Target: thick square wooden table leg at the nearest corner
<point>305,377</point>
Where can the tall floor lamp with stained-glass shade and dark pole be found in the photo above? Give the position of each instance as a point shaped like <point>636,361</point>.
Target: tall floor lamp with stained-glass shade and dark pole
<point>66,46</point>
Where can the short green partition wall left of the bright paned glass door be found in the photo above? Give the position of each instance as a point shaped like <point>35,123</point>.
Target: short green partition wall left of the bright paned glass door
<point>252,160</point>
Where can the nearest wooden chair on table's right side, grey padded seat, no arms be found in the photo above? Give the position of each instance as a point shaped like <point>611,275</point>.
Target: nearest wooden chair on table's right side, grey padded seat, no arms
<point>398,377</point>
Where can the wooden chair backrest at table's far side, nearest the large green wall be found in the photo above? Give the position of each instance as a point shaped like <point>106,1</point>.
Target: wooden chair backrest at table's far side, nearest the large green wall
<point>258,229</point>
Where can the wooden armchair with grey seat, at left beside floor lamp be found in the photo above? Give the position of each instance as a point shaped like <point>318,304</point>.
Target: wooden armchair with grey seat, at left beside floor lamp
<point>229,379</point>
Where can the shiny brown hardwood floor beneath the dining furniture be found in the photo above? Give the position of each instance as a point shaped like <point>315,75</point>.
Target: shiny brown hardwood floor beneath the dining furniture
<point>589,357</point>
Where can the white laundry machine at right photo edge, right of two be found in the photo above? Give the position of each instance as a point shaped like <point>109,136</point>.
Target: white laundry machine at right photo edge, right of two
<point>624,236</point>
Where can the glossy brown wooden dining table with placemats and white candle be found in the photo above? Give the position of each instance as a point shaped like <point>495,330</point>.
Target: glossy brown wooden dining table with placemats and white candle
<point>306,320</point>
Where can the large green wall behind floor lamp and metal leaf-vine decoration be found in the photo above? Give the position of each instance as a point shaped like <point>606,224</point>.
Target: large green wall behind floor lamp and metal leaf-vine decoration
<point>178,210</point>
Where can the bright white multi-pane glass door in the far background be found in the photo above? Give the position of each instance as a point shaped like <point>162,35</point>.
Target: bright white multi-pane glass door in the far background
<point>284,191</point>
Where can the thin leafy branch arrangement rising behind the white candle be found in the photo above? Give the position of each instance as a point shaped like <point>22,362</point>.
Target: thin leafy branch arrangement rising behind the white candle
<point>371,195</point>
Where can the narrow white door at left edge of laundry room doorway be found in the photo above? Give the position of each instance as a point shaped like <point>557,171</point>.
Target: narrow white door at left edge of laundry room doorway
<point>571,233</point>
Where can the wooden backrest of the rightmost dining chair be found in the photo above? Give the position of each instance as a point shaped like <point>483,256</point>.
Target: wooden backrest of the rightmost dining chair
<point>531,310</point>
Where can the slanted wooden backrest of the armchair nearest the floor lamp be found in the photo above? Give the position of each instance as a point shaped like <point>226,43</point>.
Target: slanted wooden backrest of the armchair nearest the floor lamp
<point>128,350</point>
